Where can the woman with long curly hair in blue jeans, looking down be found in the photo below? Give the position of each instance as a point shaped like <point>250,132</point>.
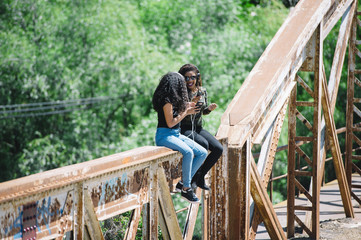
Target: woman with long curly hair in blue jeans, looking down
<point>170,100</point>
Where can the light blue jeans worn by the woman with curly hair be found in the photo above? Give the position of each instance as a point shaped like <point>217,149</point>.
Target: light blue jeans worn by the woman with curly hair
<point>193,153</point>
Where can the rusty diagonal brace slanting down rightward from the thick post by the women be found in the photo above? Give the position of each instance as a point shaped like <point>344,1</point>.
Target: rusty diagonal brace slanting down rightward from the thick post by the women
<point>264,205</point>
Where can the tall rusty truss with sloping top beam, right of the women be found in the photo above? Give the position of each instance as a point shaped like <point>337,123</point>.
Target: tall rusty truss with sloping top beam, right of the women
<point>257,111</point>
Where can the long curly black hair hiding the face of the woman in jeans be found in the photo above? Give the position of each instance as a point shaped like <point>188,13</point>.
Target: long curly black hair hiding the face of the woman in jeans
<point>171,89</point>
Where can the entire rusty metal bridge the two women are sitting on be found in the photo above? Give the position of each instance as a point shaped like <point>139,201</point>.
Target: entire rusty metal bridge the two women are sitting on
<point>69,202</point>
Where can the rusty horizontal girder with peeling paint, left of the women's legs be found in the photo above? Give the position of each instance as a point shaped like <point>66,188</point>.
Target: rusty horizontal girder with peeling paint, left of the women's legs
<point>117,183</point>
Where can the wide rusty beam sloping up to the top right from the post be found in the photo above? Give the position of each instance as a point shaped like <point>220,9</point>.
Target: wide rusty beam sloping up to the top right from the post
<point>256,96</point>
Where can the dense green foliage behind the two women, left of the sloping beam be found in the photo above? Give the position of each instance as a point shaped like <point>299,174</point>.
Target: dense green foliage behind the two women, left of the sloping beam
<point>61,50</point>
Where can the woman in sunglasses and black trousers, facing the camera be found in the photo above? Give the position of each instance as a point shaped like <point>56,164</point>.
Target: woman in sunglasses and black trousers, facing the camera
<point>191,125</point>
